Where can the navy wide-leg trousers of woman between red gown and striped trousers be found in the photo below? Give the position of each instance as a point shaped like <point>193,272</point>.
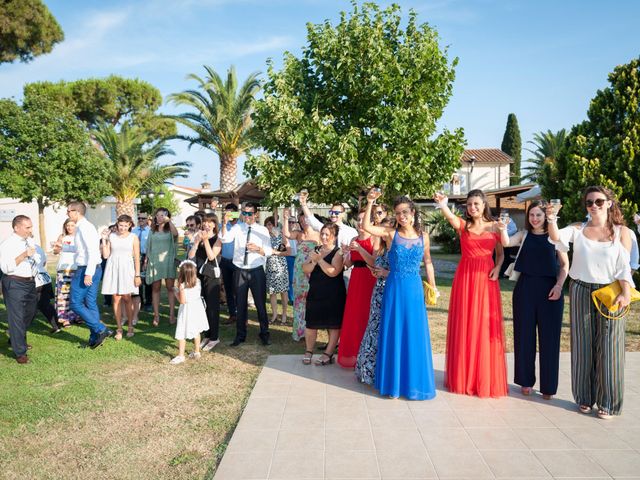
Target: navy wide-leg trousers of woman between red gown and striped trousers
<point>532,310</point>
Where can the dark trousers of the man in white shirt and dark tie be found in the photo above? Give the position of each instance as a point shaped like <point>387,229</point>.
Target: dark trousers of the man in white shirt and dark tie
<point>255,280</point>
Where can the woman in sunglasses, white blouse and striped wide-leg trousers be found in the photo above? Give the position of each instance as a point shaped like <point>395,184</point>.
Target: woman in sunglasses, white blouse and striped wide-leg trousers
<point>600,256</point>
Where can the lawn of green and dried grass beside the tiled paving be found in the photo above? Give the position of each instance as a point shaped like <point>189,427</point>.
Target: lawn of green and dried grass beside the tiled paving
<point>121,411</point>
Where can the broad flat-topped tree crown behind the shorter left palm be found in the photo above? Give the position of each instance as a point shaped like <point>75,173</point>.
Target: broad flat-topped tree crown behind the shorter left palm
<point>115,100</point>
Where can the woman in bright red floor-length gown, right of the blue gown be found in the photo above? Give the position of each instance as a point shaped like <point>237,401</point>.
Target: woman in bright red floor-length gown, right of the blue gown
<point>475,361</point>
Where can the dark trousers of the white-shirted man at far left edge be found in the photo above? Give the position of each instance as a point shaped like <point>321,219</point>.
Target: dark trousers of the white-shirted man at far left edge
<point>20,299</point>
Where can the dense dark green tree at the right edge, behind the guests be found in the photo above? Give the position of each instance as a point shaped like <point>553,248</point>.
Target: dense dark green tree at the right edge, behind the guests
<point>602,150</point>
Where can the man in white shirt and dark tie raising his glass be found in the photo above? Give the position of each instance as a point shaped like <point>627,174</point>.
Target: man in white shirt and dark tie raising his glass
<point>252,245</point>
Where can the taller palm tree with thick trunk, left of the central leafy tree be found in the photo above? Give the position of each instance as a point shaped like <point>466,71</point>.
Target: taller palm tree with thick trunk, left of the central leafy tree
<point>221,121</point>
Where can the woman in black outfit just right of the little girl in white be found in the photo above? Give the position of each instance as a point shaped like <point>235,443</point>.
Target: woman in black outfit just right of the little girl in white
<point>205,248</point>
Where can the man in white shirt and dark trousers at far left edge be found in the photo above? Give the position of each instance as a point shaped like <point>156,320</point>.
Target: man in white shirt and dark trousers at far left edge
<point>18,284</point>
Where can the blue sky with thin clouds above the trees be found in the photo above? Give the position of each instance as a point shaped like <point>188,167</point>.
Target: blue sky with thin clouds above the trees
<point>541,60</point>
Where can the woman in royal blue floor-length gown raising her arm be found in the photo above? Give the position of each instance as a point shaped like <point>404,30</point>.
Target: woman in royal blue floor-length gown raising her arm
<point>404,366</point>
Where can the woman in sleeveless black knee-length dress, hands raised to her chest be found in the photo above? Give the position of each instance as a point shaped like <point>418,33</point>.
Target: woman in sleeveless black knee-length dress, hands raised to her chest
<point>327,294</point>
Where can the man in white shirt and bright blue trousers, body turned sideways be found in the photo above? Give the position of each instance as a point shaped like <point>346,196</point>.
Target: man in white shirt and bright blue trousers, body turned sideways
<point>85,282</point>
